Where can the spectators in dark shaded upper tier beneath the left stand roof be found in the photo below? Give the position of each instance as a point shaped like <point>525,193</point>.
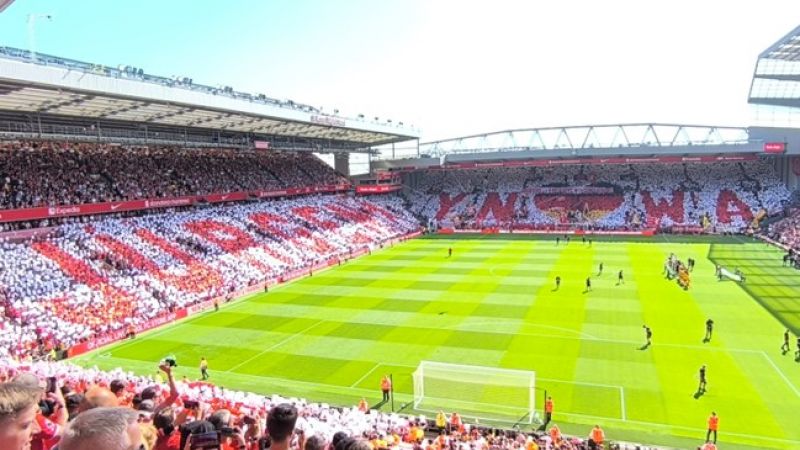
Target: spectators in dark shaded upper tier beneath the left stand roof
<point>36,174</point>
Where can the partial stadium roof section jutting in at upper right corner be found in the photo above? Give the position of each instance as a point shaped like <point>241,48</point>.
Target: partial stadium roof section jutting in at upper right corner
<point>776,80</point>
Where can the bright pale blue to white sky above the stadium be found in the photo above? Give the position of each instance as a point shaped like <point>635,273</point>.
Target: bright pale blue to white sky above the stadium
<point>450,68</point>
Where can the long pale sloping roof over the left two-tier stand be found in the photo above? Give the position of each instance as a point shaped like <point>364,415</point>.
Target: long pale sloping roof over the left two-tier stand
<point>44,84</point>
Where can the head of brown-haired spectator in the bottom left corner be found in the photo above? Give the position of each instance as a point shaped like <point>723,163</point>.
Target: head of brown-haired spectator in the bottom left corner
<point>18,408</point>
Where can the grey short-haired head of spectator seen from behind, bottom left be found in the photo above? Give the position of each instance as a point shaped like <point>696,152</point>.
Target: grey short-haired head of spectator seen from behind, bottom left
<point>103,428</point>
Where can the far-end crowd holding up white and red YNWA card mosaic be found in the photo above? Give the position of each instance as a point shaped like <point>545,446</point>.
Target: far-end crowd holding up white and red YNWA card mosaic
<point>599,196</point>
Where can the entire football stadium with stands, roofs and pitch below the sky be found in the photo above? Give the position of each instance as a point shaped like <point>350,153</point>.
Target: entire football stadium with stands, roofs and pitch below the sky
<point>194,266</point>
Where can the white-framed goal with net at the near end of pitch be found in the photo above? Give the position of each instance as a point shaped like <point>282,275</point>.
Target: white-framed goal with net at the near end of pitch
<point>475,391</point>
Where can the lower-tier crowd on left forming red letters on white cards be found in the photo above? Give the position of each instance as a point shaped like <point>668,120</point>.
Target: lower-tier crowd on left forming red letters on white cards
<point>84,280</point>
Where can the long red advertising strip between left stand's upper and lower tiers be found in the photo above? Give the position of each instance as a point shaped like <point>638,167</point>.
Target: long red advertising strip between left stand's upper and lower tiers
<point>19,215</point>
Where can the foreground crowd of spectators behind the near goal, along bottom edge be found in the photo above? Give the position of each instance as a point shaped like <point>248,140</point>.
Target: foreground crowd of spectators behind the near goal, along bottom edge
<point>76,408</point>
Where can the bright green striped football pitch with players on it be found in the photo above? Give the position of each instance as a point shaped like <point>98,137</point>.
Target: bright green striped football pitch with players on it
<point>332,336</point>
